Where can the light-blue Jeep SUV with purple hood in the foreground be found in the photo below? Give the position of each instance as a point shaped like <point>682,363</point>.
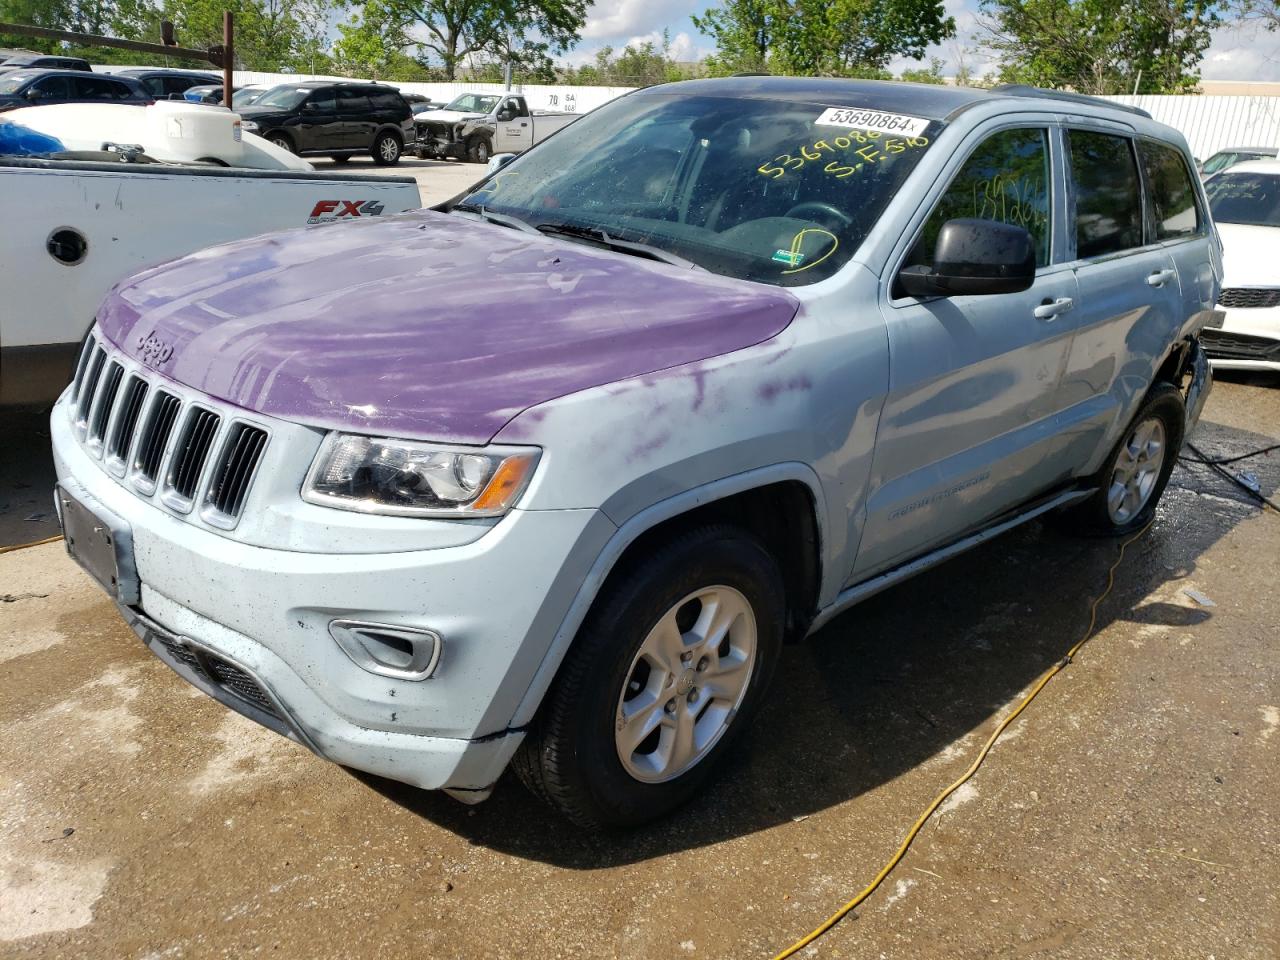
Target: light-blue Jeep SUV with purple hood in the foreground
<point>548,474</point>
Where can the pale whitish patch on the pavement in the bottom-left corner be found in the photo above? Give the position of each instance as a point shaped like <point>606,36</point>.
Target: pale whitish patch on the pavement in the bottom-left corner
<point>47,897</point>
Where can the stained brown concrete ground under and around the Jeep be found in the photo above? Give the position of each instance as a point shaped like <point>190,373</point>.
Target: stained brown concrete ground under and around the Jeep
<point>1132,812</point>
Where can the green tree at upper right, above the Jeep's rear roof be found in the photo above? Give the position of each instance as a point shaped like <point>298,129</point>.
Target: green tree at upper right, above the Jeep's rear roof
<point>1101,47</point>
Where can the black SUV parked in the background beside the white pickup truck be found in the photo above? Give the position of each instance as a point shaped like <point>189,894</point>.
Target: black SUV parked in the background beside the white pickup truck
<point>322,118</point>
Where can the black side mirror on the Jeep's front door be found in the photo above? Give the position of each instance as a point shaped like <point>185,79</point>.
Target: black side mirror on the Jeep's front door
<point>975,258</point>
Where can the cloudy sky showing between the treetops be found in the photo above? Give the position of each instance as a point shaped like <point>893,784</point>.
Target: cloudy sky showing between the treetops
<point>1237,54</point>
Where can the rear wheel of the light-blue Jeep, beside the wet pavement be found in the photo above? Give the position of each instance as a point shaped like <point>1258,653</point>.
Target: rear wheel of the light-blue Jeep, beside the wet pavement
<point>1135,477</point>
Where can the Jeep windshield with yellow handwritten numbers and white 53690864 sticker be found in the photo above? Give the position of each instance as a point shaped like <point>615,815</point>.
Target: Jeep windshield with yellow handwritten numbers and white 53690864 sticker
<point>760,190</point>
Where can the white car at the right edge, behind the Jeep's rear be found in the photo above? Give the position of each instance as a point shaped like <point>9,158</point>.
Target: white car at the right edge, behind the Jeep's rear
<point>1246,205</point>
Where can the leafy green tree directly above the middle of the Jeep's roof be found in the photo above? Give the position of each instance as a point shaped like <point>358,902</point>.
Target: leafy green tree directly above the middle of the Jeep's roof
<point>822,38</point>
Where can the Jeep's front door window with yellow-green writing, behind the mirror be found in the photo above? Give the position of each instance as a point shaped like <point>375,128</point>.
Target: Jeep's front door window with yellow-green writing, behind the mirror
<point>1005,180</point>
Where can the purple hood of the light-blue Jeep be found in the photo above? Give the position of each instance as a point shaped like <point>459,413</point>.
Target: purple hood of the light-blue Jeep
<point>426,326</point>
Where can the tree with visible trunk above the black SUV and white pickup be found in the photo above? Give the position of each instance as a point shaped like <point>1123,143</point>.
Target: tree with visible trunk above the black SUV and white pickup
<point>451,31</point>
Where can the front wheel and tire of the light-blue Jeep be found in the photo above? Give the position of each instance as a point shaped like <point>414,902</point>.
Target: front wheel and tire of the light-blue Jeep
<point>579,757</point>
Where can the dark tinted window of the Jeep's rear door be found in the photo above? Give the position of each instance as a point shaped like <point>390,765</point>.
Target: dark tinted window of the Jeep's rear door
<point>1108,198</point>
